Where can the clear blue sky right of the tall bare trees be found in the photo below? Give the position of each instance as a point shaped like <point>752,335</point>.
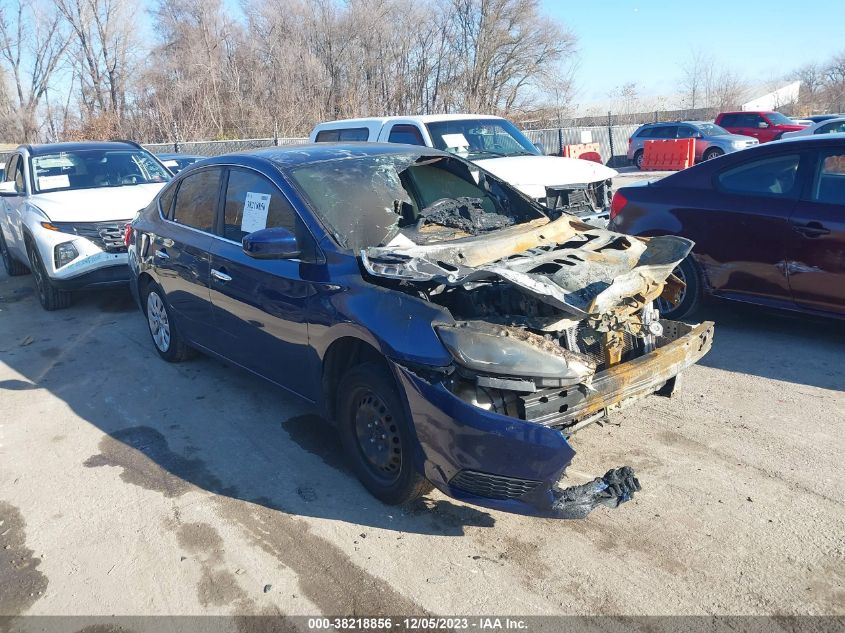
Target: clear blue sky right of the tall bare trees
<point>648,41</point>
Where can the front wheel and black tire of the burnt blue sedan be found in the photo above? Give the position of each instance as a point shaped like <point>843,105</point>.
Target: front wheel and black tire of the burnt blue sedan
<point>377,436</point>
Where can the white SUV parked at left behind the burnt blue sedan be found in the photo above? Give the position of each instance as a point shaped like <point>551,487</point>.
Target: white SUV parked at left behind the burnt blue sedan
<point>63,209</point>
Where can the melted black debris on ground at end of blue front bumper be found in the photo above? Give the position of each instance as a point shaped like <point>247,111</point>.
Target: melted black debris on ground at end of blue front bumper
<point>576,502</point>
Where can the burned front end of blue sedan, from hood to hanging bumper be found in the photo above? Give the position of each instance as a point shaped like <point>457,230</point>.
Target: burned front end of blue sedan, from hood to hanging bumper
<point>553,327</point>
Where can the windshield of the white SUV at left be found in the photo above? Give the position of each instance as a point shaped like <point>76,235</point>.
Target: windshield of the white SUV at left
<point>95,168</point>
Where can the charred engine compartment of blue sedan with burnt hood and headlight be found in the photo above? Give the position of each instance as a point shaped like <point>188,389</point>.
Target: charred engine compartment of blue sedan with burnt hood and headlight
<point>539,310</point>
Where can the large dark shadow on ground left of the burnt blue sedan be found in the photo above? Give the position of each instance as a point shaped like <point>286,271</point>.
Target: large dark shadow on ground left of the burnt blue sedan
<point>198,425</point>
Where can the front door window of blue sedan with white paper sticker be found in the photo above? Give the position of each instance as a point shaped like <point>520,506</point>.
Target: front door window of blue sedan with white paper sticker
<point>254,203</point>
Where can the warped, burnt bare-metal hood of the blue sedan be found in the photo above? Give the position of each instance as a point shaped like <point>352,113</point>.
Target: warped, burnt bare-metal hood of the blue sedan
<point>580,272</point>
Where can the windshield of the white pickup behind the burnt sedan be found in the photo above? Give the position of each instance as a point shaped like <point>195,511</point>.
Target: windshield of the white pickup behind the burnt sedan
<point>480,138</point>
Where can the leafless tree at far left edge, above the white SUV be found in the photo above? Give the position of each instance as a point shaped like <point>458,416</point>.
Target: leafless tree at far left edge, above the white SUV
<point>32,45</point>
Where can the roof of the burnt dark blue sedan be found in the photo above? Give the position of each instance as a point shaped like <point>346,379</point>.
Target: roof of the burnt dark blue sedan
<point>292,155</point>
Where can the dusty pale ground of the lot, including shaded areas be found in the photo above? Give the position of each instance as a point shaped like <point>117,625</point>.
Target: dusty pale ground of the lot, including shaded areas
<point>131,486</point>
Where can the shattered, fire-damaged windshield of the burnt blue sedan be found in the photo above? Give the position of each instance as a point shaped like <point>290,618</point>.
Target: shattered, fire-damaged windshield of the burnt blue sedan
<point>408,198</point>
